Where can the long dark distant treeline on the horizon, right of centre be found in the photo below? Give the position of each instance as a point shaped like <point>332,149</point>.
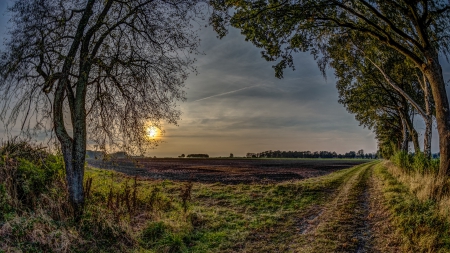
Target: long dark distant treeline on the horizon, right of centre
<point>309,154</point>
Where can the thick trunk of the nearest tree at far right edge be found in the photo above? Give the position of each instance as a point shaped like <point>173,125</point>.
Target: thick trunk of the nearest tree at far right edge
<point>433,72</point>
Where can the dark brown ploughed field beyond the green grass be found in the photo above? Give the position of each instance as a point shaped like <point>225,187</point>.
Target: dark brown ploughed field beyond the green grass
<point>225,170</point>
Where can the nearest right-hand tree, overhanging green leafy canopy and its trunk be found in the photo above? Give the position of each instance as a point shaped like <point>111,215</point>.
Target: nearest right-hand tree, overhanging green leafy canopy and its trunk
<point>417,30</point>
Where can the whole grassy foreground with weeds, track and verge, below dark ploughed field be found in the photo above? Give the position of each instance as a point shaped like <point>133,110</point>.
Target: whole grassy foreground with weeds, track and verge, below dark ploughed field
<point>127,214</point>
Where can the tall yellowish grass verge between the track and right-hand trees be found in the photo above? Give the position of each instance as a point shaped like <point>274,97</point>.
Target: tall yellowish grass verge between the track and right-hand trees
<point>418,221</point>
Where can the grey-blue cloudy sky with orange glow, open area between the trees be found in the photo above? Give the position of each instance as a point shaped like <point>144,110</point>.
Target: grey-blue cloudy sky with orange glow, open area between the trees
<point>235,104</point>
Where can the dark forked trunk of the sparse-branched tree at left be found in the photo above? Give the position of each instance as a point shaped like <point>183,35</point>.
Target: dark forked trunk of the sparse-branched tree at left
<point>73,149</point>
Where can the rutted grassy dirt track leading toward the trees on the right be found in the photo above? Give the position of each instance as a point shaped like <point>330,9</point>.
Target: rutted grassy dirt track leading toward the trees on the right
<point>353,220</point>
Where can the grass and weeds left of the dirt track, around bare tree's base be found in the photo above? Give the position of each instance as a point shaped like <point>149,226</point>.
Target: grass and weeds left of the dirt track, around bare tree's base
<point>125,214</point>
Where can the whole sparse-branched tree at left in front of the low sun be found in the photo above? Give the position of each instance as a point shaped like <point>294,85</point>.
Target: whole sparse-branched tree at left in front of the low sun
<point>100,70</point>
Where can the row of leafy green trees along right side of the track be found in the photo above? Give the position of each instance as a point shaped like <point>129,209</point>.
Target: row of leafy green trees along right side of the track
<point>386,56</point>
